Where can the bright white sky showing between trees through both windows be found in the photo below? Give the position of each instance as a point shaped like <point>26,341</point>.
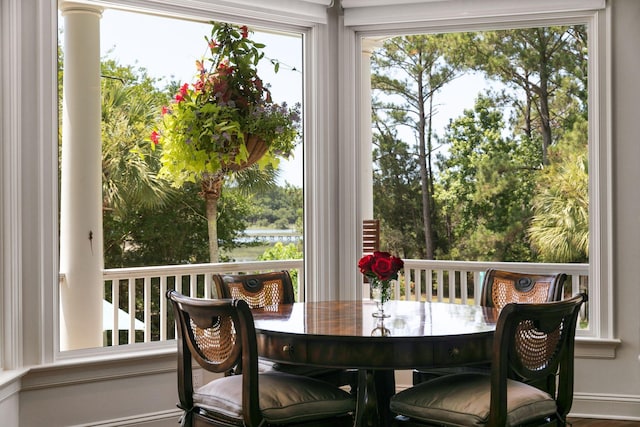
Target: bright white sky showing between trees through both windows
<point>168,48</point>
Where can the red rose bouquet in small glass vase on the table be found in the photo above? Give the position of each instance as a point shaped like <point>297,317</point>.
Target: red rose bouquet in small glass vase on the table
<point>381,268</point>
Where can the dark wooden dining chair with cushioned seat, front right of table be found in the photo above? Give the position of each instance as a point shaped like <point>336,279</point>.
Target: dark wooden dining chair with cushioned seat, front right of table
<point>530,382</point>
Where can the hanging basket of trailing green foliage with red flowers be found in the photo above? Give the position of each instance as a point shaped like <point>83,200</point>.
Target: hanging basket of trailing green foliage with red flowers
<point>208,127</point>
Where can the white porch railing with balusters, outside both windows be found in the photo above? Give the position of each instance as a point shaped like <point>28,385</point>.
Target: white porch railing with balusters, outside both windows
<point>140,292</point>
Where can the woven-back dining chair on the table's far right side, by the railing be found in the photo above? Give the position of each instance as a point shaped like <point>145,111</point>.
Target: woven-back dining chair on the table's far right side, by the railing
<point>501,287</point>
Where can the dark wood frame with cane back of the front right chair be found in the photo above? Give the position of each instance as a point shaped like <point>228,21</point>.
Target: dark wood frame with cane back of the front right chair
<point>517,336</point>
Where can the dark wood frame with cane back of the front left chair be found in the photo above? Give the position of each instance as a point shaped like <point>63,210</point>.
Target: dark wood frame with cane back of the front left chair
<point>223,318</point>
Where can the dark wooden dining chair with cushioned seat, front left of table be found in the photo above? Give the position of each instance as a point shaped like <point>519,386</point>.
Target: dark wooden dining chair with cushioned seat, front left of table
<point>219,334</point>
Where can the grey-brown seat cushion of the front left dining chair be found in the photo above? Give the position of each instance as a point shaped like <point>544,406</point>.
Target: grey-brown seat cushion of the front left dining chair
<point>284,398</point>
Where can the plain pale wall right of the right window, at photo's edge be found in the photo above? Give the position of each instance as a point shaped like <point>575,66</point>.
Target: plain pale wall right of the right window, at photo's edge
<point>613,386</point>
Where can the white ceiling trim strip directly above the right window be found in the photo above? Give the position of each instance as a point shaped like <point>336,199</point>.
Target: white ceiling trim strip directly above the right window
<point>372,12</point>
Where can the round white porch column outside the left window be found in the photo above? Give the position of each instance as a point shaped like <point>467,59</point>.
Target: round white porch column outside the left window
<point>81,252</point>
